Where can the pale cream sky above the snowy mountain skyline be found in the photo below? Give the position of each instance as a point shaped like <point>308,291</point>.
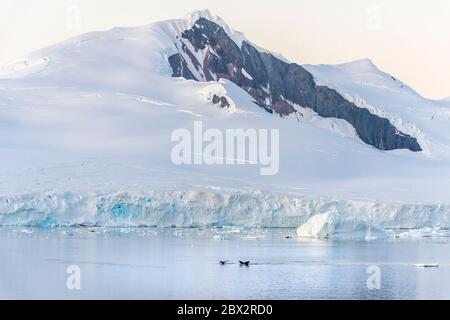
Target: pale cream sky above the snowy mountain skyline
<point>409,39</point>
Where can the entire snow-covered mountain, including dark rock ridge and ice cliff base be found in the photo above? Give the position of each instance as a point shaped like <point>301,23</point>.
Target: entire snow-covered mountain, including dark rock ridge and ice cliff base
<point>86,125</point>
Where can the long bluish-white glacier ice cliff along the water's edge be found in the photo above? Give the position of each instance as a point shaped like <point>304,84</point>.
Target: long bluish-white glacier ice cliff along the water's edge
<point>213,209</point>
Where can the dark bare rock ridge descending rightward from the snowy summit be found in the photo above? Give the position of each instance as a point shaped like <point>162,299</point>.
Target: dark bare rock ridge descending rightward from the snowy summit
<point>277,85</point>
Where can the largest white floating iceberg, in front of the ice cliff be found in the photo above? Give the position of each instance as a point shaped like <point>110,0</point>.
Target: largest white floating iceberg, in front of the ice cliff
<point>336,226</point>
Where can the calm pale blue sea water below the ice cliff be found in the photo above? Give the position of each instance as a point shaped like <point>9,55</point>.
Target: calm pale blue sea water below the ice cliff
<point>183,264</point>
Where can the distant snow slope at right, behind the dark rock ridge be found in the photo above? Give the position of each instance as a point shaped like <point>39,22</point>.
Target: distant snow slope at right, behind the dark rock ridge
<point>368,87</point>
